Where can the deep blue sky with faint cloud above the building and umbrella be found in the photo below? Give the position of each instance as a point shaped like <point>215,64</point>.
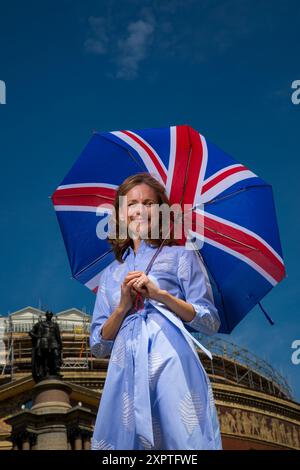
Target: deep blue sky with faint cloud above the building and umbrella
<point>224,67</point>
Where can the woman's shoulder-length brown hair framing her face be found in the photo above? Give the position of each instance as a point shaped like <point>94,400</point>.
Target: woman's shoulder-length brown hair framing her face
<point>119,245</point>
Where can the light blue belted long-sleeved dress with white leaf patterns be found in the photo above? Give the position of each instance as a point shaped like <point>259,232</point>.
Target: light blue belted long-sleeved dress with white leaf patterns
<point>157,394</point>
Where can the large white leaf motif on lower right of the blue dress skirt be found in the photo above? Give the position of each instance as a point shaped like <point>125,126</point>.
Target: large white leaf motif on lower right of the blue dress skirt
<point>191,410</point>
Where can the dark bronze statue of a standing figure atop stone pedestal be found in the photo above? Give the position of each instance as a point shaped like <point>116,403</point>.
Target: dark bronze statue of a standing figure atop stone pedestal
<point>46,349</point>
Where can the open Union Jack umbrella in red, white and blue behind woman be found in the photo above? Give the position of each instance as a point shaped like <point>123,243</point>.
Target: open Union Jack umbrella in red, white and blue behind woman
<point>241,249</point>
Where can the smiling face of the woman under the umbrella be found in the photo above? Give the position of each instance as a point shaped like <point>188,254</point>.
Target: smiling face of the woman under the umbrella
<point>140,209</point>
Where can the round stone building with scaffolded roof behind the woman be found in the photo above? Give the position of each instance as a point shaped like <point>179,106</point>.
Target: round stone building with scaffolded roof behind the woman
<point>254,402</point>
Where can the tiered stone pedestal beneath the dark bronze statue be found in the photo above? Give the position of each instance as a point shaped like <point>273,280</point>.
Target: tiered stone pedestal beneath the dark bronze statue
<point>52,423</point>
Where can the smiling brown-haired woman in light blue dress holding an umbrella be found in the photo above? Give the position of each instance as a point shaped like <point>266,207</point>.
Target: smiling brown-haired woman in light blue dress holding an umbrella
<point>156,394</point>
